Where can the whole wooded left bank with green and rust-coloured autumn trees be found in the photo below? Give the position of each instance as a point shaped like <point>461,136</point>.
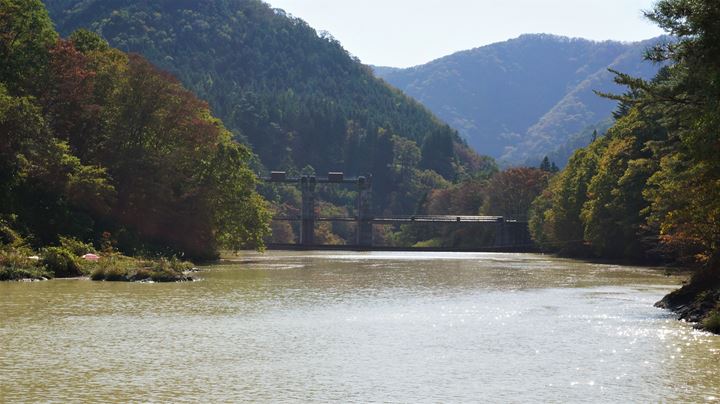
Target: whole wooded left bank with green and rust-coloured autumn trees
<point>102,147</point>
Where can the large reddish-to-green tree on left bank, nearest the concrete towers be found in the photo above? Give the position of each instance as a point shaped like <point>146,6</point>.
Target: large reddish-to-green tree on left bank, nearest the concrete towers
<point>180,178</point>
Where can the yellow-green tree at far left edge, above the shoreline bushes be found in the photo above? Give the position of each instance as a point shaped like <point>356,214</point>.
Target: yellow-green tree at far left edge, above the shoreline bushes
<point>42,182</point>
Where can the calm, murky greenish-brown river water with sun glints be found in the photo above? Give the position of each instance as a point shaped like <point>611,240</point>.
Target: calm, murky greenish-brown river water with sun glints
<point>358,327</point>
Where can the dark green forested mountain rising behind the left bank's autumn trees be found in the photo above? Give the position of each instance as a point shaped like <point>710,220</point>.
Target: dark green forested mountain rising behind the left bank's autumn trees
<point>296,96</point>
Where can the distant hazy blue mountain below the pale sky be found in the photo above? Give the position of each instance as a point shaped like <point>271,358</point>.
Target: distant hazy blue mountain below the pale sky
<point>522,99</point>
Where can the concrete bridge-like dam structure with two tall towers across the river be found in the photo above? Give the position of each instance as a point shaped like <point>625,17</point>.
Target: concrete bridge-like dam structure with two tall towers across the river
<point>509,233</point>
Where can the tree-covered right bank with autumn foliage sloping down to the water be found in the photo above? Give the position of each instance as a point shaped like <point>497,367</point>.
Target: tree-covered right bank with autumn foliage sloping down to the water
<point>651,187</point>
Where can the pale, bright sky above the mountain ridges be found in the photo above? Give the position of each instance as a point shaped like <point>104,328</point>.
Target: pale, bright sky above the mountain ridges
<point>403,33</point>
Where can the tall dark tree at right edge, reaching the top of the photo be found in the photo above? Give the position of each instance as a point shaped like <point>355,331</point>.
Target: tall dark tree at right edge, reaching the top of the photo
<point>683,193</point>
